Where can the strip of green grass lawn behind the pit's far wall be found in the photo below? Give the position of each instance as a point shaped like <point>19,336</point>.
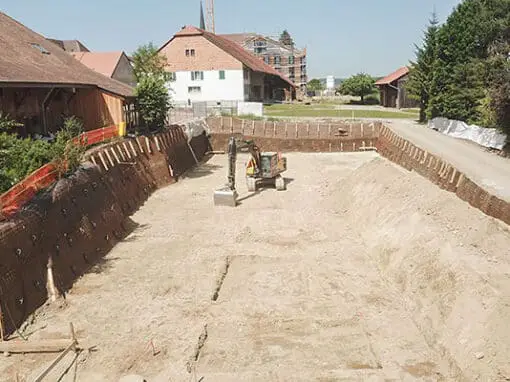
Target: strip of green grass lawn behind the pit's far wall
<point>329,111</point>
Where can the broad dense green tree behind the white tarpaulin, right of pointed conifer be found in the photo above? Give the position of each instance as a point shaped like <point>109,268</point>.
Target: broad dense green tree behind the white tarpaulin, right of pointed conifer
<point>460,80</point>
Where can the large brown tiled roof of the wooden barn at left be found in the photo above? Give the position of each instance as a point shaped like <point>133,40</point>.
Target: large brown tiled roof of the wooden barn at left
<point>29,58</point>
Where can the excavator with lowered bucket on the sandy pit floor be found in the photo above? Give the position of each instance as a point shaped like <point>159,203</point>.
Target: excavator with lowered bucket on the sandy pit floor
<point>261,168</point>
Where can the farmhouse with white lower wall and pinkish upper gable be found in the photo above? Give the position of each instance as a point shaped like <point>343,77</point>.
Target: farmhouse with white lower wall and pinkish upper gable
<point>208,67</point>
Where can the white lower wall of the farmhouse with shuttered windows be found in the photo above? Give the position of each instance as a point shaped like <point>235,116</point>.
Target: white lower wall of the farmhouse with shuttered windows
<point>212,88</point>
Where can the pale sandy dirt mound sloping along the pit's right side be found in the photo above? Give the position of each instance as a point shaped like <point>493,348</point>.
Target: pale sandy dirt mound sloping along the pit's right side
<point>448,261</point>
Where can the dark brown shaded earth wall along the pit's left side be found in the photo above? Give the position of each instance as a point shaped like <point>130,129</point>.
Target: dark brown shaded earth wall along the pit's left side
<point>77,221</point>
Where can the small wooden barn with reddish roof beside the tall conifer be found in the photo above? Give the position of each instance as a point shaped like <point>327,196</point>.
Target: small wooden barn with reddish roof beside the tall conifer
<point>393,92</point>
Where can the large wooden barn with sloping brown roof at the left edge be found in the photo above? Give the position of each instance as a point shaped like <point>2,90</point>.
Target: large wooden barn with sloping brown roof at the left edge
<point>41,84</point>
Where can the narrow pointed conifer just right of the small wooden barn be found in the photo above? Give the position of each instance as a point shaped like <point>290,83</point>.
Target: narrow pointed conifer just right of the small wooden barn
<point>419,84</point>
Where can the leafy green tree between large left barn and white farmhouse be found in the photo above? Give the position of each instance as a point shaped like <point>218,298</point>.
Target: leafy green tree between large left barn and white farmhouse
<point>153,99</point>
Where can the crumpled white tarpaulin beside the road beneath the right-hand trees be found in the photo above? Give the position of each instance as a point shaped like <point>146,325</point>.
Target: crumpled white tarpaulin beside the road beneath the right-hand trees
<point>491,138</point>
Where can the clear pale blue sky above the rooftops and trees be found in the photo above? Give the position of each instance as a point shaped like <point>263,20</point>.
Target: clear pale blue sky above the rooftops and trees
<point>342,37</point>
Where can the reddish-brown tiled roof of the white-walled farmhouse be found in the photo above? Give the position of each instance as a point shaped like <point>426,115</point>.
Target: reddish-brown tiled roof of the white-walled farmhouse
<point>232,48</point>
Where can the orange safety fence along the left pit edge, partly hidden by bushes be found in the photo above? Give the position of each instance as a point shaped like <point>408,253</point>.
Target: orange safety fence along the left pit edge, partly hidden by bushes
<point>21,193</point>
